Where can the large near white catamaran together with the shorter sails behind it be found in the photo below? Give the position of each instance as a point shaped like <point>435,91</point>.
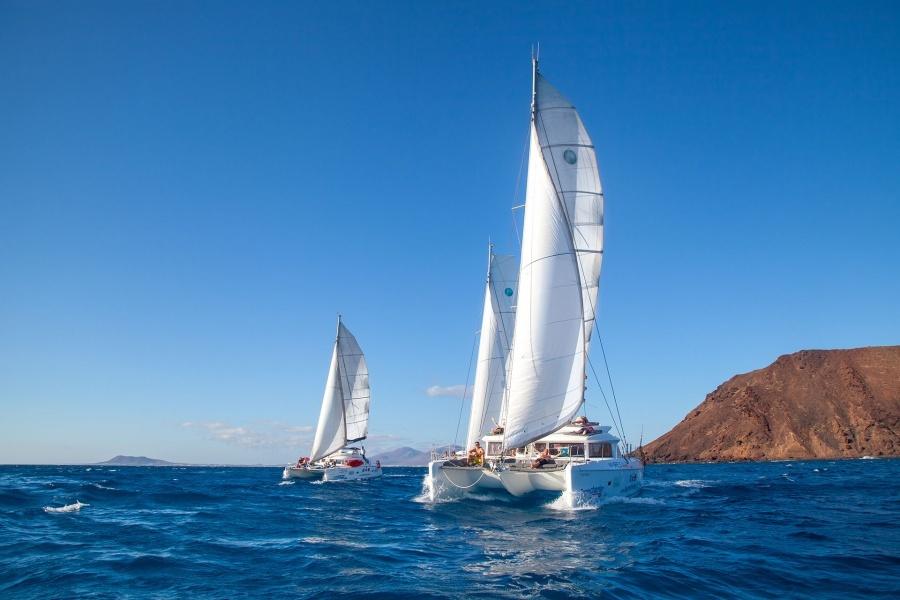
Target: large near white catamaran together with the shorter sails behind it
<point>532,358</point>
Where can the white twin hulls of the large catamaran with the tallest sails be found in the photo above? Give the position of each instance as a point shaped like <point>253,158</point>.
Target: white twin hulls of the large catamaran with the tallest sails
<point>603,478</point>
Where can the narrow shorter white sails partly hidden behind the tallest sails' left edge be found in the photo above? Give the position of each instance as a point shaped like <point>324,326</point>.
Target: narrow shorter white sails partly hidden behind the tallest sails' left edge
<point>493,347</point>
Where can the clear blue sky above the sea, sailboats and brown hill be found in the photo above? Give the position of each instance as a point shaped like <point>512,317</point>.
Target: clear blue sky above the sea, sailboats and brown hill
<point>190,191</point>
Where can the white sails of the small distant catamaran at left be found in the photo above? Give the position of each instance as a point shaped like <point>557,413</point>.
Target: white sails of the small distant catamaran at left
<point>344,417</point>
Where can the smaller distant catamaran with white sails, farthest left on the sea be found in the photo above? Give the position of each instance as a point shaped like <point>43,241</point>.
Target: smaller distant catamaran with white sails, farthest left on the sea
<point>343,419</point>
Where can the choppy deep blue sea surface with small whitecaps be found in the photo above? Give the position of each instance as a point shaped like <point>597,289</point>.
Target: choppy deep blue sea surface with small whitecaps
<point>818,529</point>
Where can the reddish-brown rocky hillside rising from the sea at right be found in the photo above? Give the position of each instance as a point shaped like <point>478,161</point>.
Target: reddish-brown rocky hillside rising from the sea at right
<point>811,404</point>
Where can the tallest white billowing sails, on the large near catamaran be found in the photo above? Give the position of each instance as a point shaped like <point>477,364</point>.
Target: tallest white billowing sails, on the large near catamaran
<point>562,247</point>
